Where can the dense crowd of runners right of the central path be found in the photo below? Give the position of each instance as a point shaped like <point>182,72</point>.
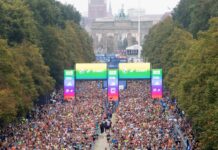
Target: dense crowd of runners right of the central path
<point>143,123</point>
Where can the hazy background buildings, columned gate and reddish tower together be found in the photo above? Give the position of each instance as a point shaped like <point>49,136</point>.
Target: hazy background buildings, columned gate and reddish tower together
<point>111,33</point>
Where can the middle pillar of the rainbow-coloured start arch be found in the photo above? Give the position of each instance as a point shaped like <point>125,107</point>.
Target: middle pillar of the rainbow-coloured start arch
<point>113,85</point>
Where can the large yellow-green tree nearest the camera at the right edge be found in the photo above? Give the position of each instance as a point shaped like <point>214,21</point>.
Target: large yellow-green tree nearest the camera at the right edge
<point>202,82</point>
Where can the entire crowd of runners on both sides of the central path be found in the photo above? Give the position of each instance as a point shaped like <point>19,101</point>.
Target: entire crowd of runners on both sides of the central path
<point>141,122</point>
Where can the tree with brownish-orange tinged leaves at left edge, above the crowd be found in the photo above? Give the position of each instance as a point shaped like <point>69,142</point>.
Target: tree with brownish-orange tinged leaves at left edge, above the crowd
<point>21,82</point>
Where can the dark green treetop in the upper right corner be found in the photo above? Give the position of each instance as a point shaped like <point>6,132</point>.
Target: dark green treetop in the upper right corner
<point>195,14</point>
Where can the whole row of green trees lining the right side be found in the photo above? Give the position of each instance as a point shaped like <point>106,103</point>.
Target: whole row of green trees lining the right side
<point>186,47</point>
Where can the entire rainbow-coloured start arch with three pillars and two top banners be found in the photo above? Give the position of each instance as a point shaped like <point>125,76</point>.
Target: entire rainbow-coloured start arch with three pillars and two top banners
<point>126,71</point>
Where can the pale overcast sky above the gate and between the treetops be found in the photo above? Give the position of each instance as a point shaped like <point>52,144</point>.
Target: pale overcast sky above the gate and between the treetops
<point>150,6</point>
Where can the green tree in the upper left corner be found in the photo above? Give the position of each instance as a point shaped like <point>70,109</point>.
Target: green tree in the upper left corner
<point>16,22</point>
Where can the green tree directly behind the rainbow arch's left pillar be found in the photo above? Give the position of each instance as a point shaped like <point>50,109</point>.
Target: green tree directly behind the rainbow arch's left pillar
<point>62,48</point>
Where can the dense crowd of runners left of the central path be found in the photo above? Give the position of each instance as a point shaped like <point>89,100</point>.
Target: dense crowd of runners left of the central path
<point>60,125</point>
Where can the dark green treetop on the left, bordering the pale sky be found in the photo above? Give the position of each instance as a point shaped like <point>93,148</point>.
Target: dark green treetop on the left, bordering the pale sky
<point>51,12</point>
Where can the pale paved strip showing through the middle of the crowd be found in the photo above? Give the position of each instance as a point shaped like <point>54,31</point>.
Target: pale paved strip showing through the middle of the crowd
<point>101,143</point>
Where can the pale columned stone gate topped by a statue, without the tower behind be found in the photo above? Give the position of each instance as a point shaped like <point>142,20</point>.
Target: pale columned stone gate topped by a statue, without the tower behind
<point>117,33</point>
